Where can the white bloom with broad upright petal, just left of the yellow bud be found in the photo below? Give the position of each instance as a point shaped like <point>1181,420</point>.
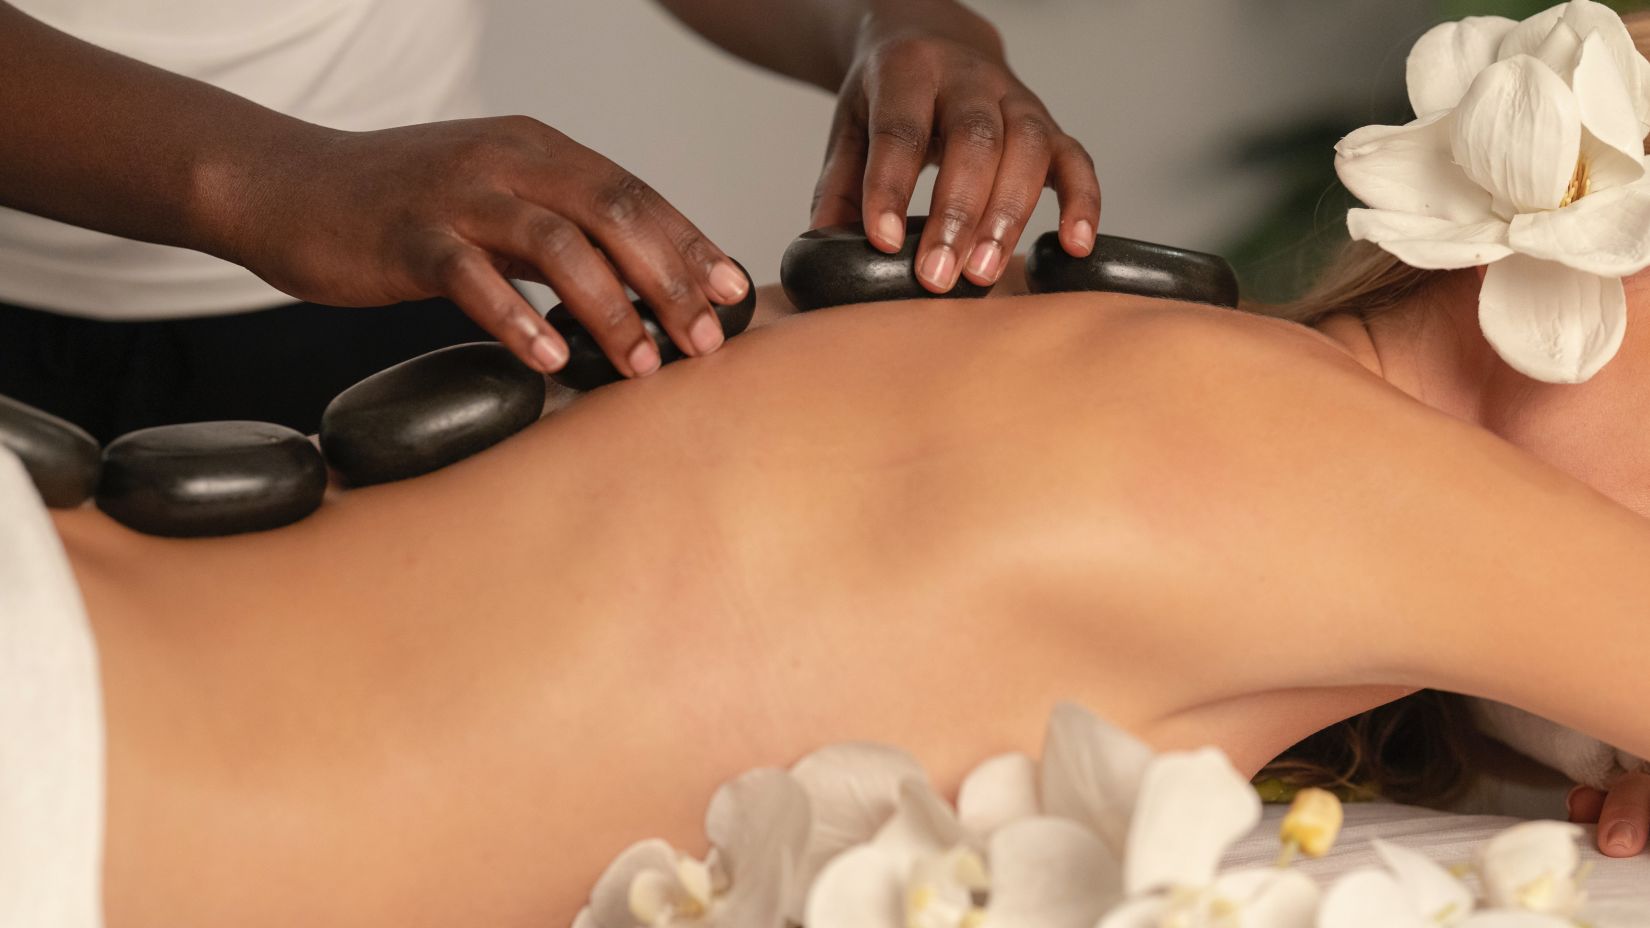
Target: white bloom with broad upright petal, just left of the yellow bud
<point>1192,808</point>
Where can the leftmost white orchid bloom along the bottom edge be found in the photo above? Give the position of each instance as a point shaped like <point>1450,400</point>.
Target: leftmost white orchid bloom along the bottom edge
<point>758,826</point>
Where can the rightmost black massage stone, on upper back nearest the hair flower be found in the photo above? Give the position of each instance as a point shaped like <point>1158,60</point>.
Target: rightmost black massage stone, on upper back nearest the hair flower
<point>1126,267</point>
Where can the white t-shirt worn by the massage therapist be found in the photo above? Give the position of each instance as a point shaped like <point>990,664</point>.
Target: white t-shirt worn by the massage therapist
<point>344,64</point>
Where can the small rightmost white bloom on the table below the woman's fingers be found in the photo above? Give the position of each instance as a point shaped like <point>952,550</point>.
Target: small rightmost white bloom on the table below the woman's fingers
<point>1529,856</point>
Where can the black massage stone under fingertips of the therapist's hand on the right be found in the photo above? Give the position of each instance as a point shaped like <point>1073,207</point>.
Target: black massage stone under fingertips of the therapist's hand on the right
<point>839,267</point>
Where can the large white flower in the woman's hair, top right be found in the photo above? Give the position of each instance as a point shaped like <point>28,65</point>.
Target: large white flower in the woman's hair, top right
<point>1527,156</point>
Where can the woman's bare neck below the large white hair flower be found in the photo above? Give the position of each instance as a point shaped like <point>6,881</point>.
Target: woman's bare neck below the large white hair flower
<point>1431,348</point>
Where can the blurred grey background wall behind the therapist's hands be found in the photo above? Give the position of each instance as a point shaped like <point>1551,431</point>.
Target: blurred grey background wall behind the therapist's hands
<point>1212,121</point>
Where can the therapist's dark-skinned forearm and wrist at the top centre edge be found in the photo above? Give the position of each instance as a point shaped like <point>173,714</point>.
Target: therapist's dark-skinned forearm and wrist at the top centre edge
<point>818,40</point>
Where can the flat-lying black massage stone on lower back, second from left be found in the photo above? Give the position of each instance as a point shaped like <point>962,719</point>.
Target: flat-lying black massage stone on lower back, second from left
<point>207,480</point>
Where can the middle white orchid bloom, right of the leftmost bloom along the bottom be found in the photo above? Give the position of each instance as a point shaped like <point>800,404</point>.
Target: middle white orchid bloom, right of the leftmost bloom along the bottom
<point>926,871</point>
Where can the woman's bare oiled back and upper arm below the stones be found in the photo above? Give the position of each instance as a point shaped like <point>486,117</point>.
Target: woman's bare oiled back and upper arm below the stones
<point>451,701</point>
